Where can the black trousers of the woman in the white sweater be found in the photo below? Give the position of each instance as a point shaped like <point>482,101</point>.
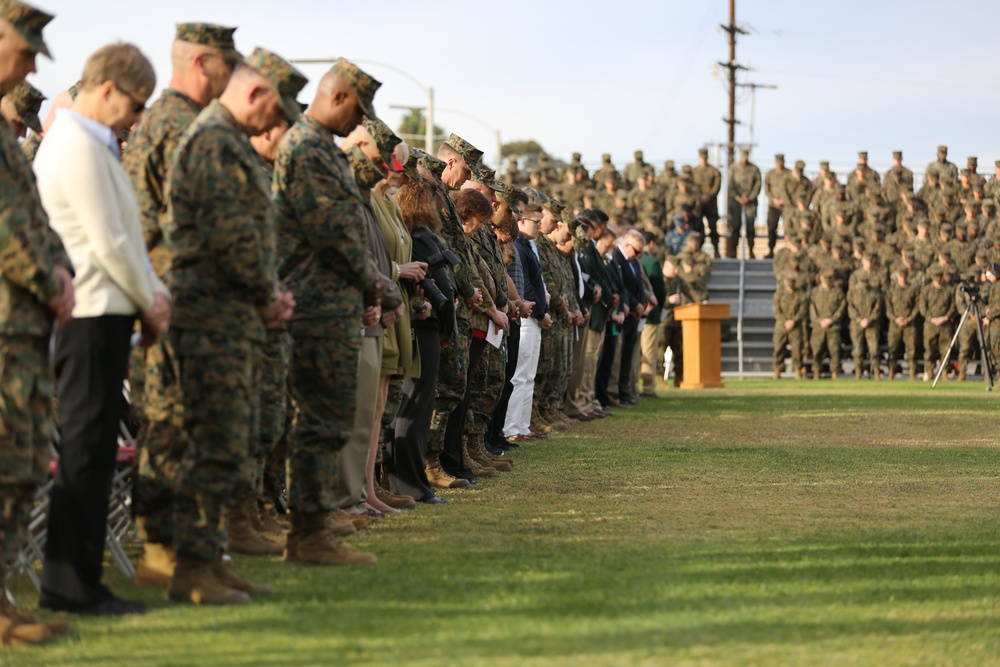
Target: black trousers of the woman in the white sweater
<point>91,360</point>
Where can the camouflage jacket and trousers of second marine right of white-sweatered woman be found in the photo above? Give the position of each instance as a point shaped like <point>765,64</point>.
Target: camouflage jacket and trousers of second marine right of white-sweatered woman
<point>221,274</point>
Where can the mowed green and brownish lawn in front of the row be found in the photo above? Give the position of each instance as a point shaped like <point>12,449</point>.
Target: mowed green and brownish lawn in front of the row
<point>768,523</point>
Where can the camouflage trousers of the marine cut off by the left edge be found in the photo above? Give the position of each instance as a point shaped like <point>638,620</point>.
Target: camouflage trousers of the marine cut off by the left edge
<point>26,389</point>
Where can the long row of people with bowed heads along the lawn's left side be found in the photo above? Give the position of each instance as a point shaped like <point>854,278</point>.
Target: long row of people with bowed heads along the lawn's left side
<point>319,325</point>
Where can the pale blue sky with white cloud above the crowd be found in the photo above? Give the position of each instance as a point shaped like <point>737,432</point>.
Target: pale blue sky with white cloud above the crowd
<point>597,77</point>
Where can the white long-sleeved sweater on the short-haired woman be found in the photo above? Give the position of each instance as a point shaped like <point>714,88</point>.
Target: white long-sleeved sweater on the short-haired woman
<point>91,205</point>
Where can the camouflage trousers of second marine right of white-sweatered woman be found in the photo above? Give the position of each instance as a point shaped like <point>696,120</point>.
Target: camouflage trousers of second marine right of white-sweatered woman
<point>219,382</point>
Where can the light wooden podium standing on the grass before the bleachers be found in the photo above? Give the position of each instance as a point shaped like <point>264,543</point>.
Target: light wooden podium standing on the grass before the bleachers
<point>701,324</point>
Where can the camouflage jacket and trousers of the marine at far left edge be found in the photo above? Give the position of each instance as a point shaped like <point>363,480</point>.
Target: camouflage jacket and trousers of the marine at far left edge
<point>29,253</point>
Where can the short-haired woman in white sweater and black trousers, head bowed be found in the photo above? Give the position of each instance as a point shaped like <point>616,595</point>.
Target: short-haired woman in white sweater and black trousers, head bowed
<point>91,205</point>
